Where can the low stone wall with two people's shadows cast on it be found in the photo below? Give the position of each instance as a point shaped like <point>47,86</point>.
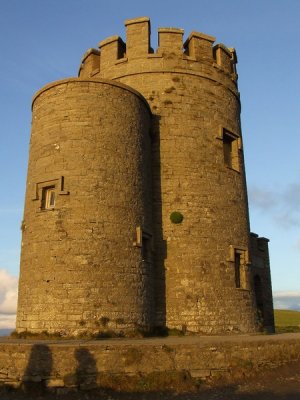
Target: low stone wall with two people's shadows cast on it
<point>122,364</point>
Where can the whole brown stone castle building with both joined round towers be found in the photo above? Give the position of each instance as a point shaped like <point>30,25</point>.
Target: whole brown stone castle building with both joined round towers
<point>136,211</point>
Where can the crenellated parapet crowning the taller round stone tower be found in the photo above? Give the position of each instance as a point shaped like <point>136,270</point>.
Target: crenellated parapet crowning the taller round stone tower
<point>196,55</point>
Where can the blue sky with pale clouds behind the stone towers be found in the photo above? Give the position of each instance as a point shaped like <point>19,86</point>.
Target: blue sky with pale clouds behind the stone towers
<point>43,41</point>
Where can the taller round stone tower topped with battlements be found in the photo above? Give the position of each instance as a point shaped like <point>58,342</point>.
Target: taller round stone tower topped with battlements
<point>201,263</point>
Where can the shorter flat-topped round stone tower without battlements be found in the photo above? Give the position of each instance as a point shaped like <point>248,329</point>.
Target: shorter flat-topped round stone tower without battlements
<point>87,211</point>
